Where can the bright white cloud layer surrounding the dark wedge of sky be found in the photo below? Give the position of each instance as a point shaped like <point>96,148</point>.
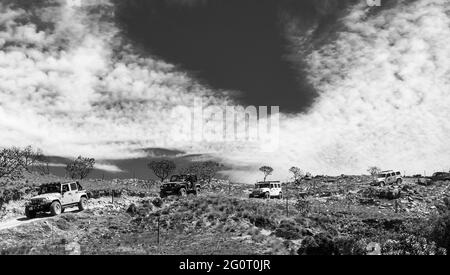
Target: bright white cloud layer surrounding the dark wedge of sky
<point>76,87</point>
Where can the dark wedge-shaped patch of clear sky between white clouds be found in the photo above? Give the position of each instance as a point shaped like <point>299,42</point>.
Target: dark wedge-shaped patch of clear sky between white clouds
<point>237,45</point>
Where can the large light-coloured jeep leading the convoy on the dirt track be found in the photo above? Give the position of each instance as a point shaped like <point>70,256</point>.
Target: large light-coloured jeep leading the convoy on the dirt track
<point>55,197</point>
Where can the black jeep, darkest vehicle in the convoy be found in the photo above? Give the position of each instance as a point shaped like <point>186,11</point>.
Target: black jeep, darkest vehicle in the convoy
<point>180,185</point>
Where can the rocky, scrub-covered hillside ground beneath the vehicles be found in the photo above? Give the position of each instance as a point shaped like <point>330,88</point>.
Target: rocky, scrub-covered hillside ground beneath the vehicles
<point>340,215</point>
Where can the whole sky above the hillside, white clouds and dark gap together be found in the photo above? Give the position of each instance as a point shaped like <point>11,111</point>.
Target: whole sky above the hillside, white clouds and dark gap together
<point>356,85</point>
